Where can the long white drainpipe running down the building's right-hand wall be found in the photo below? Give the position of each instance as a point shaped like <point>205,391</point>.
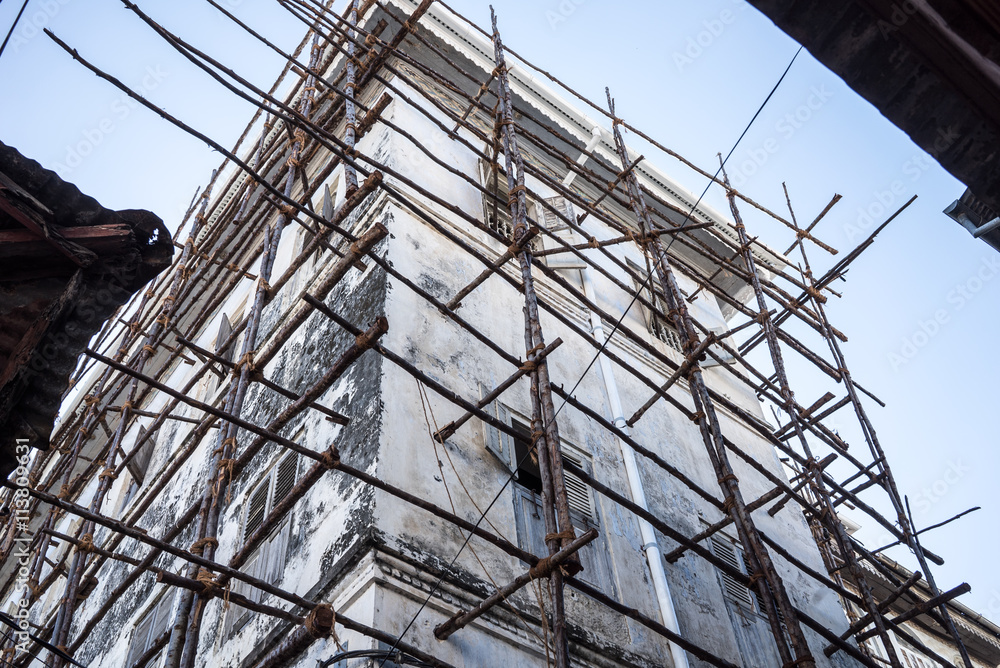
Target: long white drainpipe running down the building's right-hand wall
<point>649,544</point>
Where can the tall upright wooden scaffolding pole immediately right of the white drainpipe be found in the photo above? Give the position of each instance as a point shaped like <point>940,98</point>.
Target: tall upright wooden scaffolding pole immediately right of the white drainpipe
<point>764,577</point>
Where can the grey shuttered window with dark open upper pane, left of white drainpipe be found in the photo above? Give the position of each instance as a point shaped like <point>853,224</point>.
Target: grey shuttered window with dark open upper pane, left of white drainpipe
<point>513,452</point>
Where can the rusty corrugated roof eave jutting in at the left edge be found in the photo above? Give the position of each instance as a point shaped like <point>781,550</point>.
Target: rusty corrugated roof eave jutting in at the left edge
<point>66,265</point>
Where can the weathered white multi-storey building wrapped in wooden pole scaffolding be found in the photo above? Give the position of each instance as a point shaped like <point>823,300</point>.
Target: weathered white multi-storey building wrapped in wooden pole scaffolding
<point>432,226</point>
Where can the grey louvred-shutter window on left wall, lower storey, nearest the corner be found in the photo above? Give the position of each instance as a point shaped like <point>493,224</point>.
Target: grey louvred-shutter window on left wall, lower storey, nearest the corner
<point>267,561</point>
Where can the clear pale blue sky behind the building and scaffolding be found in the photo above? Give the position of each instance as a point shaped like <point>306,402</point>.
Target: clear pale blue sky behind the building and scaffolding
<point>919,307</point>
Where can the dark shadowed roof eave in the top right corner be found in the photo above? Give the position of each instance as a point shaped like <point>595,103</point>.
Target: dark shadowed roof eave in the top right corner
<point>932,67</point>
